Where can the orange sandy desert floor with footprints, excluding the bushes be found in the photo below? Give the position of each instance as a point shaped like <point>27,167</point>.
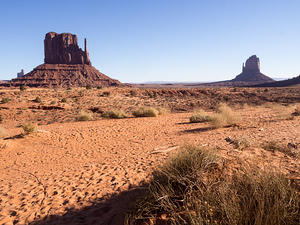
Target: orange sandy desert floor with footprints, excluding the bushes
<point>71,172</point>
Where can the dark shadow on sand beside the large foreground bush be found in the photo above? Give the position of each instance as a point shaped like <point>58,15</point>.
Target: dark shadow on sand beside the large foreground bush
<point>108,212</point>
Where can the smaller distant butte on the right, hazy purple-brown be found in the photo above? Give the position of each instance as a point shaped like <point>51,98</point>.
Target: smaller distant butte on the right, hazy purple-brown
<point>251,73</point>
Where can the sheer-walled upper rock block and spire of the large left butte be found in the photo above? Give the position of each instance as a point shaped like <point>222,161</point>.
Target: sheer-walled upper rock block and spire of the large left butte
<point>63,49</point>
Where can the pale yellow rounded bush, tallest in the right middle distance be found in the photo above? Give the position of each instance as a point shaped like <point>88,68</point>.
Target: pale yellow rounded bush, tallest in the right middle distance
<point>224,117</point>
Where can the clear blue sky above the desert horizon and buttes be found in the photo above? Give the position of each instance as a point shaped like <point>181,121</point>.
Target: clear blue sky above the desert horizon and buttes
<point>157,40</point>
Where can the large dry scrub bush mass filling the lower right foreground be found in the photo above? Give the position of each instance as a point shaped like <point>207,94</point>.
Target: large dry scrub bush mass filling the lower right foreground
<point>192,188</point>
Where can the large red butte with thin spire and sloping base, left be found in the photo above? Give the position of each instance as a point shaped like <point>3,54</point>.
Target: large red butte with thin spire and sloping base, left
<point>65,65</point>
